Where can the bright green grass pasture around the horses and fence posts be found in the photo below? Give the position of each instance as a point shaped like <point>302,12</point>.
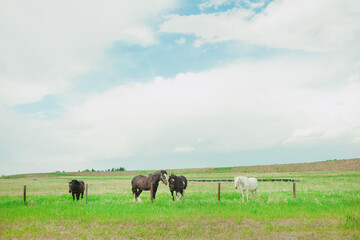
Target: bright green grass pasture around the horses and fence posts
<point>327,206</point>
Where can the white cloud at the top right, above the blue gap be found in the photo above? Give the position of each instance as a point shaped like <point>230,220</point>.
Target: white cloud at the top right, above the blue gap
<point>315,26</point>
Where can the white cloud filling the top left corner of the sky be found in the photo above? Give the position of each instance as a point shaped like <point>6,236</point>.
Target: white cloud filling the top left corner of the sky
<point>43,44</point>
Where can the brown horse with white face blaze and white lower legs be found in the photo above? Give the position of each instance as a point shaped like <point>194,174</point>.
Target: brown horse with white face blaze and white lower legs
<point>141,183</point>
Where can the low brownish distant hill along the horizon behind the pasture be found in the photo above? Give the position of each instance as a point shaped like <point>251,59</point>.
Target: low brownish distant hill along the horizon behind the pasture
<point>324,166</point>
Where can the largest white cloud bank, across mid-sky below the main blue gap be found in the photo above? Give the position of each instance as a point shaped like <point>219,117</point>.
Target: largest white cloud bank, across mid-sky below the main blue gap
<point>244,106</point>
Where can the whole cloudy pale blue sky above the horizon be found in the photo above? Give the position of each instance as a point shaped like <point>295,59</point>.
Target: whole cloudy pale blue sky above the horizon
<point>167,84</point>
